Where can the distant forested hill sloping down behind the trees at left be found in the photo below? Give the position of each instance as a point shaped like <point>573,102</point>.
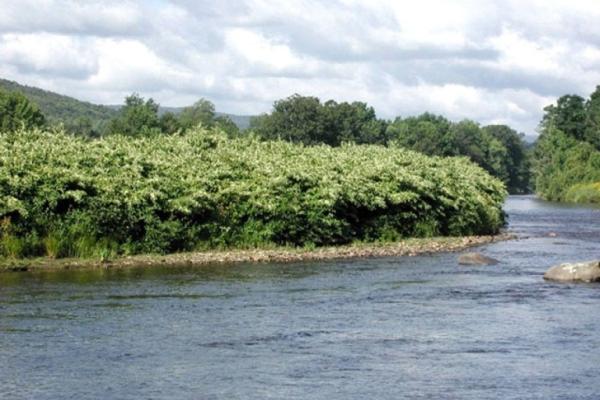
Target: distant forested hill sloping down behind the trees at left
<point>60,108</point>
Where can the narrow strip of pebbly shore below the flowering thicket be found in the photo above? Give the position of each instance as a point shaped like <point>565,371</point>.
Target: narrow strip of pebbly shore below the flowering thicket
<point>407,247</point>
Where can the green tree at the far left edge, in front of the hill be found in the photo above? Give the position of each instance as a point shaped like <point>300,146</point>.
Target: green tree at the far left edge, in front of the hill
<point>16,111</point>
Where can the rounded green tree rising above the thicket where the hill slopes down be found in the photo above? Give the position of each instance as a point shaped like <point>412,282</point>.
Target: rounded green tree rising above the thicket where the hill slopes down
<point>138,117</point>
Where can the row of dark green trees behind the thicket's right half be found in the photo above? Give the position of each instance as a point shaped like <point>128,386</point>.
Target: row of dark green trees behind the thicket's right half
<point>498,149</point>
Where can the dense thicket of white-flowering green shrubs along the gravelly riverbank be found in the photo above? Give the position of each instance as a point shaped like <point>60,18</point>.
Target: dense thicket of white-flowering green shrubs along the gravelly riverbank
<point>164,193</point>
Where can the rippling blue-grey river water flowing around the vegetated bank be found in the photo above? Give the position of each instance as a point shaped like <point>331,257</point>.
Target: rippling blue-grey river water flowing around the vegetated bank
<point>393,328</point>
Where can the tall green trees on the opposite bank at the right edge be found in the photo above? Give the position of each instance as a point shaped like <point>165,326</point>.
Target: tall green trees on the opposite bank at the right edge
<point>567,155</point>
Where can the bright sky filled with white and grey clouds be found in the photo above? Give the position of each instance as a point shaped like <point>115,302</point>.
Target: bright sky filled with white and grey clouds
<point>490,61</point>
